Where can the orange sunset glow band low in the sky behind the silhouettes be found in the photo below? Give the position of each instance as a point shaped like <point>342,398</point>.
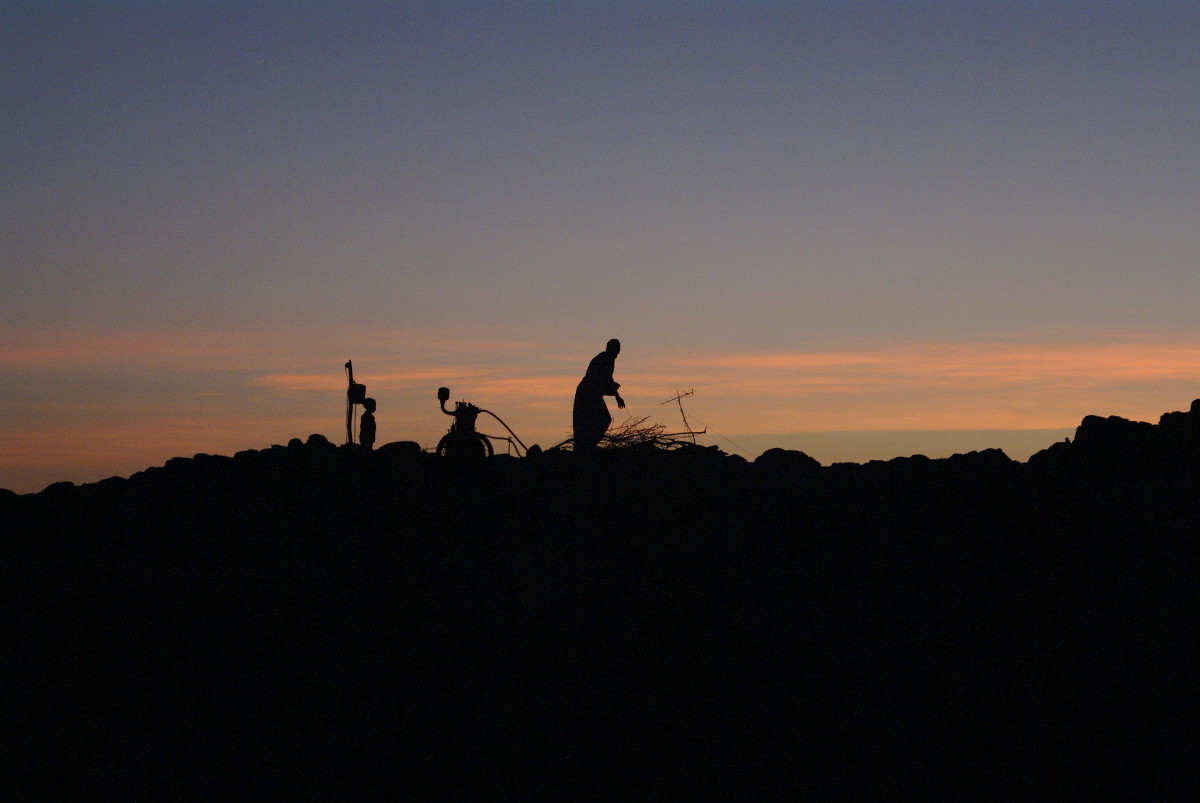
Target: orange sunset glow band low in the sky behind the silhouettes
<point>211,394</point>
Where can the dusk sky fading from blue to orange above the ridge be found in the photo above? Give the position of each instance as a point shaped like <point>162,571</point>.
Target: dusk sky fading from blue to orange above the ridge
<point>860,230</point>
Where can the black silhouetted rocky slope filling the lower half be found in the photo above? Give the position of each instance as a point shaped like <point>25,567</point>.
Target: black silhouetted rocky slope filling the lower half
<point>313,619</point>
